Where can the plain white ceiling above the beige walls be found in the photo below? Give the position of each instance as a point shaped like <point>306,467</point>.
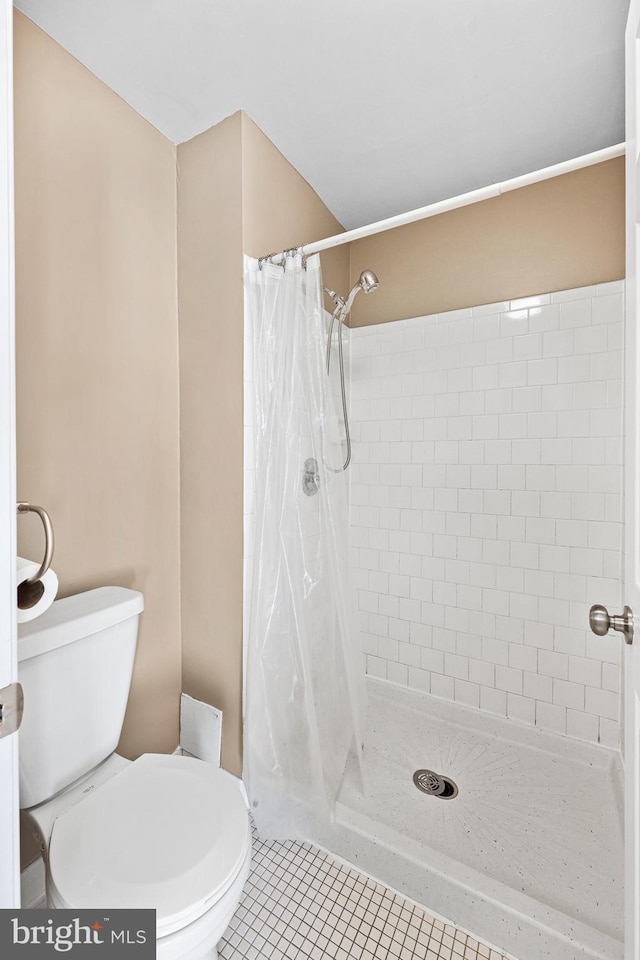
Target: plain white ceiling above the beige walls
<point>382,105</point>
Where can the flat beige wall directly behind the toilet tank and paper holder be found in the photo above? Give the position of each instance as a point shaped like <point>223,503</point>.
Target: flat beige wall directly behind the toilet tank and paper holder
<point>97,355</point>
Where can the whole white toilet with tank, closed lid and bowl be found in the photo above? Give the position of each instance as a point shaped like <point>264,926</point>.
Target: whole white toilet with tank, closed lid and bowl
<point>169,833</point>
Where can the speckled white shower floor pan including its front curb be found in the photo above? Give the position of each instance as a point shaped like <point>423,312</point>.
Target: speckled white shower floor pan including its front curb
<point>528,855</point>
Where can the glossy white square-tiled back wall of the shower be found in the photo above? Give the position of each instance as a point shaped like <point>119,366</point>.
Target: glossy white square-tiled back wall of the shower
<point>486,505</point>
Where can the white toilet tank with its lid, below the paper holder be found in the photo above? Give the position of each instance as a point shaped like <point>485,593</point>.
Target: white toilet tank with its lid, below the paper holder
<point>75,664</point>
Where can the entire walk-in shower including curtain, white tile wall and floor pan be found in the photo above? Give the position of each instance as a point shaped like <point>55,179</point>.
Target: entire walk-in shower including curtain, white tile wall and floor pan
<point>481,506</point>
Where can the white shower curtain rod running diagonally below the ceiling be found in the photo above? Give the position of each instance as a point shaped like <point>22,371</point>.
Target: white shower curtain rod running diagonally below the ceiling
<point>463,200</point>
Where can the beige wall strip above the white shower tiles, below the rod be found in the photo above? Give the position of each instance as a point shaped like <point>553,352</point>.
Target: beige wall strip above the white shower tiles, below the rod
<point>561,233</point>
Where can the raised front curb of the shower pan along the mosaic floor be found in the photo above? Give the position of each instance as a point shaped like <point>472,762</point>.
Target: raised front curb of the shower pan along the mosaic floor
<point>516,923</point>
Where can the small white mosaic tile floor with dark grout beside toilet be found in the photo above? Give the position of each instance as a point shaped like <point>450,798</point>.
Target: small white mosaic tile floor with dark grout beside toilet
<point>301,904</point>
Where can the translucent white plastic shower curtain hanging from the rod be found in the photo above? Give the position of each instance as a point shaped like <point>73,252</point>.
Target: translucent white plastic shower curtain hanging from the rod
<point>304,692</point>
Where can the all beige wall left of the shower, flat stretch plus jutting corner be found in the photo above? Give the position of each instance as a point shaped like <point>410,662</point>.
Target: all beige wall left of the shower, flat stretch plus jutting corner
<point>98,404</point>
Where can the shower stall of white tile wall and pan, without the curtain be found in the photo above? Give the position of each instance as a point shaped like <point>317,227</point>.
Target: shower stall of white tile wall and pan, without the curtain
<point>485,514</point>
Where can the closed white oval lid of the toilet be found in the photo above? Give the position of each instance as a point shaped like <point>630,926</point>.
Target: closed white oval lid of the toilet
<point>168,833</point>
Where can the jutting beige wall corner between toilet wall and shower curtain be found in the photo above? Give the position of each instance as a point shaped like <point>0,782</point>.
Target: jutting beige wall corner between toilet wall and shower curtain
<point>236,193</point>
